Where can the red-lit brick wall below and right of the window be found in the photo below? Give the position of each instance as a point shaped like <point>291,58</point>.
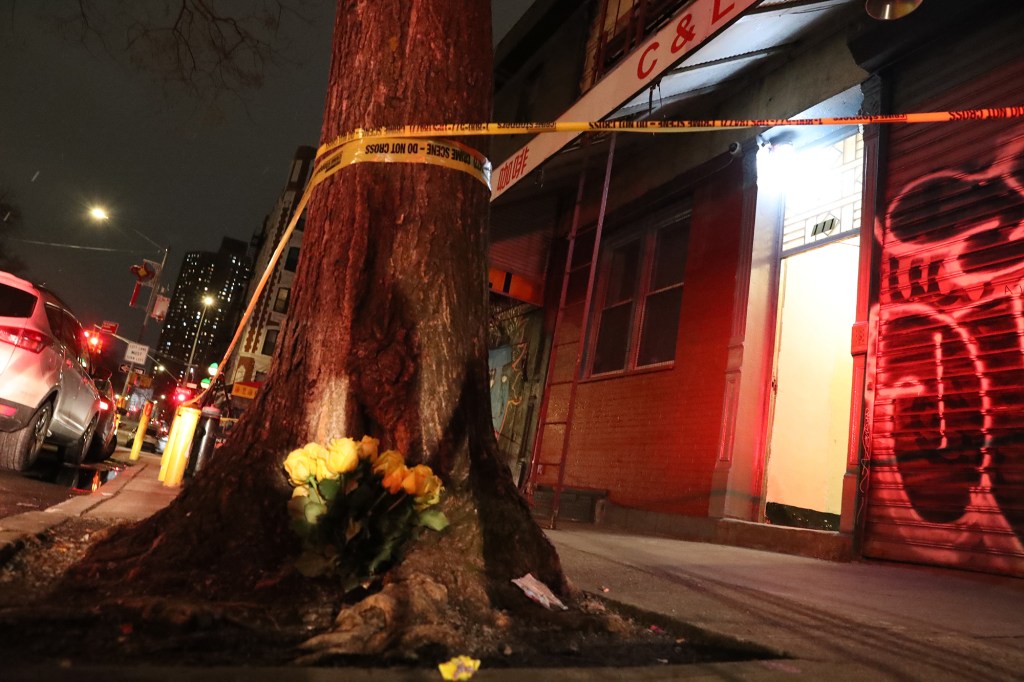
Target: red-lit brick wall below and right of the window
<point>651,439</point>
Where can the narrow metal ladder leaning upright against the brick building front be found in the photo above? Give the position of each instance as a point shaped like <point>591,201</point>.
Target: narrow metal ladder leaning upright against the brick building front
<point>569,349</point>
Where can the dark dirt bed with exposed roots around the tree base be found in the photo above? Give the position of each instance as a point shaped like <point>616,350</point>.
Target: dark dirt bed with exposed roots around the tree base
<point>293,621</point>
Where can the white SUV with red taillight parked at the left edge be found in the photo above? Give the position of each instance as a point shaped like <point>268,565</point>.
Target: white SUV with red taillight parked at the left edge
<point>47,393</point>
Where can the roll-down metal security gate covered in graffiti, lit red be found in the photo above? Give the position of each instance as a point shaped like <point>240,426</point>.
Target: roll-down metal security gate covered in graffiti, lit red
<point>946,482</point>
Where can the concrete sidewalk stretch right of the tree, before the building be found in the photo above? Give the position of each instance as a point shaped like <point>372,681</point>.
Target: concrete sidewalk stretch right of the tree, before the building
<point>860,620</point>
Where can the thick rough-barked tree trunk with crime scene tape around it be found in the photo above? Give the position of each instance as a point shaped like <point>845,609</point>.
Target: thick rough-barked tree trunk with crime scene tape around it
<point>386,337</point>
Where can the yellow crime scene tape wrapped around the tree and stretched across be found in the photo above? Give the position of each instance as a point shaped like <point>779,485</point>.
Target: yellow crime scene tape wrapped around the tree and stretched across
<point>393,146</point>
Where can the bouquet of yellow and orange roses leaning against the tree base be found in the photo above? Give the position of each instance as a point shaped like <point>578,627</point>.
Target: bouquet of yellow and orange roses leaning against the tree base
<point>356,509</point>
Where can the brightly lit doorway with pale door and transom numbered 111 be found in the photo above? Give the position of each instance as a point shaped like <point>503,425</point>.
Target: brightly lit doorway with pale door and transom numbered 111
<point>814,369</point>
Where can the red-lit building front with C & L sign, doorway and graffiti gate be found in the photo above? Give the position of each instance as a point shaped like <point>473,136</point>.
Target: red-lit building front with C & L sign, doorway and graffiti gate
<point>795,336</point>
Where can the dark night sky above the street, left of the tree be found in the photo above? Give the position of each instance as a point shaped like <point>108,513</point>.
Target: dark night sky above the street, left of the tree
<point>79,127</point>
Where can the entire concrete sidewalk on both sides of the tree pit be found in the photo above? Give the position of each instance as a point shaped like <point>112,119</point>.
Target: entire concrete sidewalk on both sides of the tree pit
<point>829,621</point>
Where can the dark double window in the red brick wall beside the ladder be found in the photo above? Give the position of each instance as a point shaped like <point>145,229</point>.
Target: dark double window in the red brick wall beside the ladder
<point>639,300</point>
